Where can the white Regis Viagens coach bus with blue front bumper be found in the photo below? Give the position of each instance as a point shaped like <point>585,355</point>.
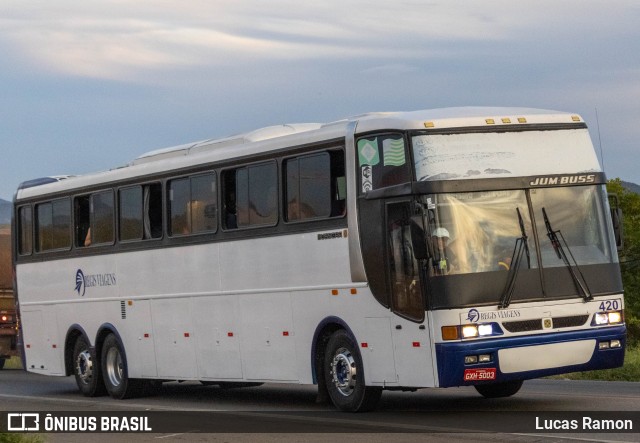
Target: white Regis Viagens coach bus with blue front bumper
<point>437,248</point>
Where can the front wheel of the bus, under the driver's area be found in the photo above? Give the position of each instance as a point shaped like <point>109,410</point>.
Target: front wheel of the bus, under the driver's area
<point>344,375</point>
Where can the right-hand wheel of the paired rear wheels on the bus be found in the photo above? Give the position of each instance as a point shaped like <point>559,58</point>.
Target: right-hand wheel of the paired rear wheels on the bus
<point>115,372</point>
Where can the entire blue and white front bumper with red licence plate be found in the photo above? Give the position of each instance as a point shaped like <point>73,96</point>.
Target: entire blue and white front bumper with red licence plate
<point>519,358</point>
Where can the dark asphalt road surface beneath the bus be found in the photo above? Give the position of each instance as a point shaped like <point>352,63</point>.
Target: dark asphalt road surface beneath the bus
<point>289,412</point>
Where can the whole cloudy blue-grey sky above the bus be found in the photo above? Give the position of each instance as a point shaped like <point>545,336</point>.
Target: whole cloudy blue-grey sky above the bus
<point>88,86</point>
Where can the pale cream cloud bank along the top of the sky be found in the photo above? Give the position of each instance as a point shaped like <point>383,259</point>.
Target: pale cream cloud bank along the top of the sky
<point>122,41</point>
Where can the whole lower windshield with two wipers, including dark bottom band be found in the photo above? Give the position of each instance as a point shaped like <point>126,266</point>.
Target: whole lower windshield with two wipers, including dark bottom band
<point>473,237</point>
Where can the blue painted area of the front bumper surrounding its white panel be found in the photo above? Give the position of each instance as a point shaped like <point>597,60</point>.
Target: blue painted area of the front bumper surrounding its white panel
<point>450,356</point>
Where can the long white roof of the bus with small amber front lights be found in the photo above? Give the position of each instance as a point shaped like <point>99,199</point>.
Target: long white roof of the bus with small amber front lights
<point>275,137</point>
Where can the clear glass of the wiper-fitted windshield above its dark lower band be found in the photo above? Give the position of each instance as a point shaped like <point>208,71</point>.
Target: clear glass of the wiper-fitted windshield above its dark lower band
<point>477,231</point>
